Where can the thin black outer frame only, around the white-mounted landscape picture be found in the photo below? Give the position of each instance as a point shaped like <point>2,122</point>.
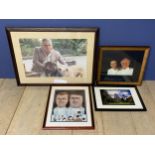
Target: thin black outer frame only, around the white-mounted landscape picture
<point>102,109</point>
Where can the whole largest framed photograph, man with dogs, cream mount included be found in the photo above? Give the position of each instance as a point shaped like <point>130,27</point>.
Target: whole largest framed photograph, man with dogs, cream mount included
<point>44,56</point>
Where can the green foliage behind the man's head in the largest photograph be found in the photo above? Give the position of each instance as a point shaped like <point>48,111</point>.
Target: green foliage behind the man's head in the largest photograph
<point>67,47</point>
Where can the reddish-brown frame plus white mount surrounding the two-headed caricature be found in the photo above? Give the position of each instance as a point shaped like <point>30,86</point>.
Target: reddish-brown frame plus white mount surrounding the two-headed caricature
<point>49,125</point>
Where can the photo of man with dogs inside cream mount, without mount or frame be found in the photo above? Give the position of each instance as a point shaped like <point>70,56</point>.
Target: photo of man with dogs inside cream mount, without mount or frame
<point>54,57</point>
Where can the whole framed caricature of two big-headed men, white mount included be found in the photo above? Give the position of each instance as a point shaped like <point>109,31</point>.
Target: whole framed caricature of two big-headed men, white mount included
<point>69,107</point>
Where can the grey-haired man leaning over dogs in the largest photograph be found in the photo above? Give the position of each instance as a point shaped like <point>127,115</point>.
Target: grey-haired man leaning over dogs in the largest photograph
<point>45,53</point>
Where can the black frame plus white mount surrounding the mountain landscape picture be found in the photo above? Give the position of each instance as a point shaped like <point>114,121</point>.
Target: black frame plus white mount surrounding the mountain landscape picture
<point>137,106</point>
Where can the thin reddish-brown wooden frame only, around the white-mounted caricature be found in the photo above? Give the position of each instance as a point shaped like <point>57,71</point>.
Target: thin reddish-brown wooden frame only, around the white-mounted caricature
<point>66,127</point>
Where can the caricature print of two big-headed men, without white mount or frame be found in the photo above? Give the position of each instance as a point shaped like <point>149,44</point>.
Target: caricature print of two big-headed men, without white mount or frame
<point>69,106</point>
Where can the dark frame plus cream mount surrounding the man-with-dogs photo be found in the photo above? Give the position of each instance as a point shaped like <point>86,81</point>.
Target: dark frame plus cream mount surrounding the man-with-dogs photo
<point>90,34</point>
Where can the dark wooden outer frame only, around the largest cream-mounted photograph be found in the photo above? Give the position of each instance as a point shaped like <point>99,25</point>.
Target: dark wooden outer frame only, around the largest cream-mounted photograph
<point>48,29</point>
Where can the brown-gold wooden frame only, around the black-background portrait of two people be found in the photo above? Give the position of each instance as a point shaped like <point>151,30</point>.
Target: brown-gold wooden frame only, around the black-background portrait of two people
<point>146,50</point>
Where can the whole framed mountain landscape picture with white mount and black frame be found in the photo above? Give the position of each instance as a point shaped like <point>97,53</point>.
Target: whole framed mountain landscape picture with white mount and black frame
<point>118,99</point>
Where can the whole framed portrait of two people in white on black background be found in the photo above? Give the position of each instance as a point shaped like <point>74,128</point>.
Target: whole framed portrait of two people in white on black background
<point>122,65</point>
